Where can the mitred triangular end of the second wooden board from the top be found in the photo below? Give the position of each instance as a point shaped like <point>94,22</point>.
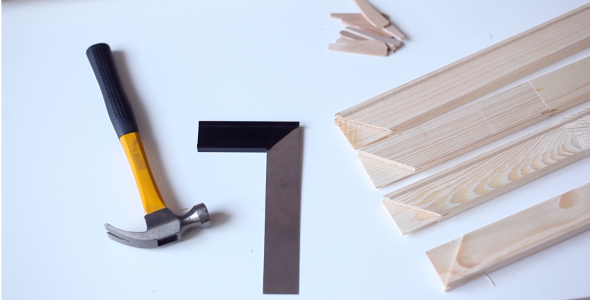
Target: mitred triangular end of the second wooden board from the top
<point>381,172</point>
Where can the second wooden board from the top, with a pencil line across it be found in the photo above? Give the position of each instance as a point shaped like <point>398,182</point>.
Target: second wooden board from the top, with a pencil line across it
<point>476,124</point>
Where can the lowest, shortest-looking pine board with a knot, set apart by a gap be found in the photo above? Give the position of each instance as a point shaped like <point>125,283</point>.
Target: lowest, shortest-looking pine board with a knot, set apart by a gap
<point>499,244</point>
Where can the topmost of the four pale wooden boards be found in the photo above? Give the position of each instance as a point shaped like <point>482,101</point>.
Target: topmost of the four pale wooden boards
<point>462,81</point>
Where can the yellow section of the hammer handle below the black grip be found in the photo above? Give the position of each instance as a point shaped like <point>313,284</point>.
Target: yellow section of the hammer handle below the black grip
<point>150,195</point>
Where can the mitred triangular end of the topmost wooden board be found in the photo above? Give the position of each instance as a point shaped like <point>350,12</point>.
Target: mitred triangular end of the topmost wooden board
<point>359,135</point>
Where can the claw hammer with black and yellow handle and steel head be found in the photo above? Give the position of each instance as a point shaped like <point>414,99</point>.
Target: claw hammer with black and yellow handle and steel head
<point>163,226</point>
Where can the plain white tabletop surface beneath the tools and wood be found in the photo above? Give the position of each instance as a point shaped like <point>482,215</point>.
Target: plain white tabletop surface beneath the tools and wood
<point>64,173</point>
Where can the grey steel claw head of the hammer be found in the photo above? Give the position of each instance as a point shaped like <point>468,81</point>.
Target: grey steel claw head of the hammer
<point>163,227</point>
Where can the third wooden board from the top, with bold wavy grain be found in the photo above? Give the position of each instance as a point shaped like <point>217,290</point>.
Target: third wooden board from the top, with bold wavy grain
<point>454,190</point>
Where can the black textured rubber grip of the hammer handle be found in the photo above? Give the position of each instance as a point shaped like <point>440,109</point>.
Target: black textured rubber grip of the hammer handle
<point>115,99</point>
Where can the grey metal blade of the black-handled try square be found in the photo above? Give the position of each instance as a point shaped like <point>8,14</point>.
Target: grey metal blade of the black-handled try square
<point>283,216</point>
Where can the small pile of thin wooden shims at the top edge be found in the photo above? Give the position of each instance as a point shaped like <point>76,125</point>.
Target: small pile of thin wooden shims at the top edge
<point>369,33</point>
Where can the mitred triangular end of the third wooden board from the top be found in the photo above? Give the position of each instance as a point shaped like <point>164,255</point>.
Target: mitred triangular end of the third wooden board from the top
<point>409,219</point>
